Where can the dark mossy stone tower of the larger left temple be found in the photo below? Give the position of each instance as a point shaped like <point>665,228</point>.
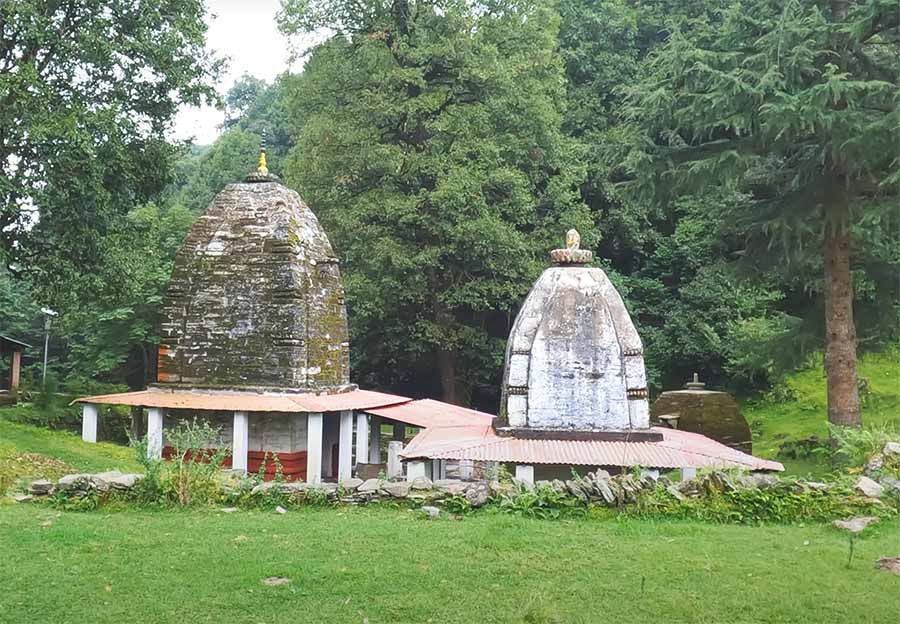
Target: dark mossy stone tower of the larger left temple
<point>255,298</point>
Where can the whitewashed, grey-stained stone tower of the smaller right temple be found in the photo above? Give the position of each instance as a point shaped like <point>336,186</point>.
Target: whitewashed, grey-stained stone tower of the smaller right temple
<point>574,360</point>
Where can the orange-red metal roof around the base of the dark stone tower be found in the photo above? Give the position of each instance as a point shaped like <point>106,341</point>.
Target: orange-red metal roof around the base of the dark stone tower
<point>248,401</point>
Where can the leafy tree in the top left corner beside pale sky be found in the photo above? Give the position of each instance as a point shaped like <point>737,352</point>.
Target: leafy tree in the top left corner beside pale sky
<point>88,89</point>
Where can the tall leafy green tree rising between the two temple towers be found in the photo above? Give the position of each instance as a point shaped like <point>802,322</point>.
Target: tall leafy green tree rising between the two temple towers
<point>430,145</point>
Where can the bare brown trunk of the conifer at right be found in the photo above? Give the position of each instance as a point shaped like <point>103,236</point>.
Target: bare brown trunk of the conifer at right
<point>840,332</point>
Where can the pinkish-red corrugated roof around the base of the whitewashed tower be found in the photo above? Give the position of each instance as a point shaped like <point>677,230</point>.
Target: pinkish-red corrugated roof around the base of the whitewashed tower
<point>678,449</point>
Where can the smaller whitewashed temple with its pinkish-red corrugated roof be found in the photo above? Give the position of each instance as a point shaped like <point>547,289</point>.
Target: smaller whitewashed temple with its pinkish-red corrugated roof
<point>574,394</point>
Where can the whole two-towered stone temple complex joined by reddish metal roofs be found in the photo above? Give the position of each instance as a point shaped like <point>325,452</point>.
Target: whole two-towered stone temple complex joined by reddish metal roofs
<point>254,340</point>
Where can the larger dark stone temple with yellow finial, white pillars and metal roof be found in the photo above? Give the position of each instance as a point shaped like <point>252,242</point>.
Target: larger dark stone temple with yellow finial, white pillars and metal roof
<point>255,341</point>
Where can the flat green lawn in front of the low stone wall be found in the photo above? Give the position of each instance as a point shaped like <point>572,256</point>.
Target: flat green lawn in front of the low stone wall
<point>389,565</point>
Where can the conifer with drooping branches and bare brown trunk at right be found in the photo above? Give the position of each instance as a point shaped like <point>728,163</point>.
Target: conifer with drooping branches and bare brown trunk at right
<point>793,104</point>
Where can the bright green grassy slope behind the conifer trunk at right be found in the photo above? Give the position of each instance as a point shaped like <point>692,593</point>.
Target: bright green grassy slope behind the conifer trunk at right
<point>798,408</point>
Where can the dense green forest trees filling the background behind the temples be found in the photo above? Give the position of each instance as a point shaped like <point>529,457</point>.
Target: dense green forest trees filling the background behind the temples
<point>448,145</point>
